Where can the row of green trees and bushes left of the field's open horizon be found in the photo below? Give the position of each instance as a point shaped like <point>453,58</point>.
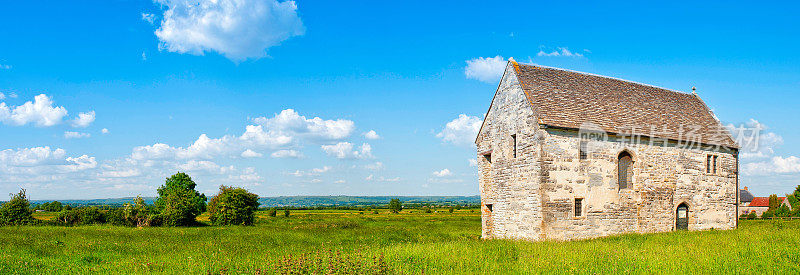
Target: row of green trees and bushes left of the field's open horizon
<point>178,204</point>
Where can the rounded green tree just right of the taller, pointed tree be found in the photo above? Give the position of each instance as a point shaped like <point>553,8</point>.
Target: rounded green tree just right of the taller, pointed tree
<point>233,206</point>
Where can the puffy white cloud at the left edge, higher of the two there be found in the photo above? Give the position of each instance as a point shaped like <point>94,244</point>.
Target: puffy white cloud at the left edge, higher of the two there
<point>39,112</point>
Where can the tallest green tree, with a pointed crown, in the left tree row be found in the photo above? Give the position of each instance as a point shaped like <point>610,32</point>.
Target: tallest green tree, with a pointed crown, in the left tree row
<point>178,203</point>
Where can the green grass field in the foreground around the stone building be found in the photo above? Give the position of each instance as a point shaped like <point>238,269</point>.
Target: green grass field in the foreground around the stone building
<point>354,242</point>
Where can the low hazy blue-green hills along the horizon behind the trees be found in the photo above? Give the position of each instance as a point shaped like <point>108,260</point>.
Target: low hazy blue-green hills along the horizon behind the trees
<point>306,201</point>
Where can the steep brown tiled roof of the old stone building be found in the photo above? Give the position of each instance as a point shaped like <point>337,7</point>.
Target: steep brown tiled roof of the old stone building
<point>563,98</point>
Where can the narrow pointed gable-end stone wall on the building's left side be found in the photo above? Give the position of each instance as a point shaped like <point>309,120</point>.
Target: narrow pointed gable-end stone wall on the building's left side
<point>510,184</point>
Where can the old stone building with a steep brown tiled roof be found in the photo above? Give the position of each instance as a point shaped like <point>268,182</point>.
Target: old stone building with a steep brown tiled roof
<point>567,155</point>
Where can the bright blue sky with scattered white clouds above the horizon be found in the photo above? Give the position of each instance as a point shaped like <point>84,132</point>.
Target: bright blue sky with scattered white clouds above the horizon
<point>312,78</point>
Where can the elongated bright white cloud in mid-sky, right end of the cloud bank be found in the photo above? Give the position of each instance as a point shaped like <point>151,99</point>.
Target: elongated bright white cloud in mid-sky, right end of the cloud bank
<point>290,122</point>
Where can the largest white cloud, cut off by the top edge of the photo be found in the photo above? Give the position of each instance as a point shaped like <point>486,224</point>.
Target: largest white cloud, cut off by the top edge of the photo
<point>237,29</point>
